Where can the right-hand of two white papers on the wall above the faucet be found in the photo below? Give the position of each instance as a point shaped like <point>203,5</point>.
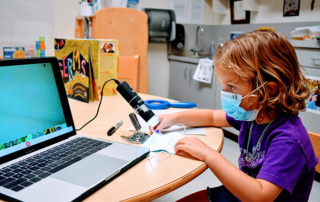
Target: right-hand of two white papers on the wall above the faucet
<point>196,10</point>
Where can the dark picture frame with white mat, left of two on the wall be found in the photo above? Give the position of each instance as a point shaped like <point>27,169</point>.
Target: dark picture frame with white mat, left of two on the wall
<point>238,16</point>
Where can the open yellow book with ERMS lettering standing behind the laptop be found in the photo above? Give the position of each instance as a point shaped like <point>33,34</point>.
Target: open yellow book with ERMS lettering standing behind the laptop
<point>75,62</point>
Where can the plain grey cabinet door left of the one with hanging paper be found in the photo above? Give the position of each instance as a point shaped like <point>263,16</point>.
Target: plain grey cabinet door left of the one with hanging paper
<point>178,81</point>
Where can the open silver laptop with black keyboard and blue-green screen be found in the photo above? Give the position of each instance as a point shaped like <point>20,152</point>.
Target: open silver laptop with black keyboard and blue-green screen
<point>41,156</point>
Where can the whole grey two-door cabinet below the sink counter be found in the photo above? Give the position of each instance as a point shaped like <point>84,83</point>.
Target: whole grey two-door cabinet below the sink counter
<point>183,88</point>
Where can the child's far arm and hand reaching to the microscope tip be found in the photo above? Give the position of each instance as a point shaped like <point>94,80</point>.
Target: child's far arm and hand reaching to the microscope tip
<point>193,118</point>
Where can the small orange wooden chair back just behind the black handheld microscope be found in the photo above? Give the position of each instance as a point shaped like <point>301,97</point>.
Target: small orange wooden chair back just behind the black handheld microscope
<point>128,70</point>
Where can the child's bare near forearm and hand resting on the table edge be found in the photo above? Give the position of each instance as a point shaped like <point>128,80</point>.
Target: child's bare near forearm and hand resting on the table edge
<point>237,182</point>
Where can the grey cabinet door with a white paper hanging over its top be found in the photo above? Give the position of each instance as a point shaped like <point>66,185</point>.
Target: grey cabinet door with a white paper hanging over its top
<point>201,93</point>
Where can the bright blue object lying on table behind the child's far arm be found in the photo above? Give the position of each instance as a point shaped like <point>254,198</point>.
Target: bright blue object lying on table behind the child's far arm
<point>162,104</point>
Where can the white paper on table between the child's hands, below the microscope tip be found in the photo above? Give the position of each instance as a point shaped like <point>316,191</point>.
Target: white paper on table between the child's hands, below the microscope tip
<point>163,142</point>
